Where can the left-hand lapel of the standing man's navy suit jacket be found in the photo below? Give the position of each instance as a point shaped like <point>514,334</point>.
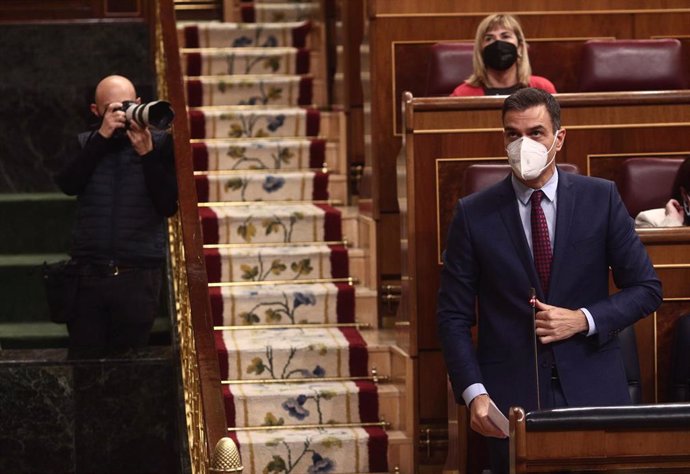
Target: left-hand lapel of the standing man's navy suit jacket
<point>507,204</point>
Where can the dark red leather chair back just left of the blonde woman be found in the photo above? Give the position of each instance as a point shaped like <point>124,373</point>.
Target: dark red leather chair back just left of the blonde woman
<point>449,65</point>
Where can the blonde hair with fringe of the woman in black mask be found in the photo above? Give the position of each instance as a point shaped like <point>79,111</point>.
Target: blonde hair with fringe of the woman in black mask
<point>479,78</point>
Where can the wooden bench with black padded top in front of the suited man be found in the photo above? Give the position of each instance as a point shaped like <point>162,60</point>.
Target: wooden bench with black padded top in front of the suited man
<point>654,438</point>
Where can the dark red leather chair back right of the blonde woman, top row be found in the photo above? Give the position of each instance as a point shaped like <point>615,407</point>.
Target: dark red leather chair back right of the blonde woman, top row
<point>632,65</point>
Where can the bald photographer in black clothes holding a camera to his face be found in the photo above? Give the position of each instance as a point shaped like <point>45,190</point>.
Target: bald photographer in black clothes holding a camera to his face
<point>124,177</point>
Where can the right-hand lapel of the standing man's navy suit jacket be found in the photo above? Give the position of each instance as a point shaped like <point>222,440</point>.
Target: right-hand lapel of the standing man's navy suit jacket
<point>564,218</point>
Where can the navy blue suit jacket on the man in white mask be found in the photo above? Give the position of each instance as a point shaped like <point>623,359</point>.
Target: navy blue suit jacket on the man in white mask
<point>489,270</point>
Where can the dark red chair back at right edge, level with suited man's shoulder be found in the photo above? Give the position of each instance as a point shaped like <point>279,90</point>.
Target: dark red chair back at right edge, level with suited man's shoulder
<point>647,182</point>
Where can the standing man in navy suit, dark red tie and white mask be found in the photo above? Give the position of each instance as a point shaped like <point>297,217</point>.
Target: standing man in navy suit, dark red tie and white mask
<point>499,249</point>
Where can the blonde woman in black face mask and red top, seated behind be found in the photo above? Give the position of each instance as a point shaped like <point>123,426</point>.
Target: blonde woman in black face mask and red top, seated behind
<point>500,62</point>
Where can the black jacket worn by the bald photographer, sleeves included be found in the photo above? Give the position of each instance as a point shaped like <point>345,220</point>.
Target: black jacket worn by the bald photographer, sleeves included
<point>123,199</point>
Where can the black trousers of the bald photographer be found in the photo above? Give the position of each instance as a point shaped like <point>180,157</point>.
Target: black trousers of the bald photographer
<point>114,312</point>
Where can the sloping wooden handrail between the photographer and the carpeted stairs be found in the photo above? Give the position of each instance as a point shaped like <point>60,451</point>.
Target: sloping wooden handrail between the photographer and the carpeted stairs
<point>201,352</point>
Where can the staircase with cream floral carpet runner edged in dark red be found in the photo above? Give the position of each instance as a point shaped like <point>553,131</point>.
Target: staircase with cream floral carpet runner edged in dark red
<point>308,375</point>
